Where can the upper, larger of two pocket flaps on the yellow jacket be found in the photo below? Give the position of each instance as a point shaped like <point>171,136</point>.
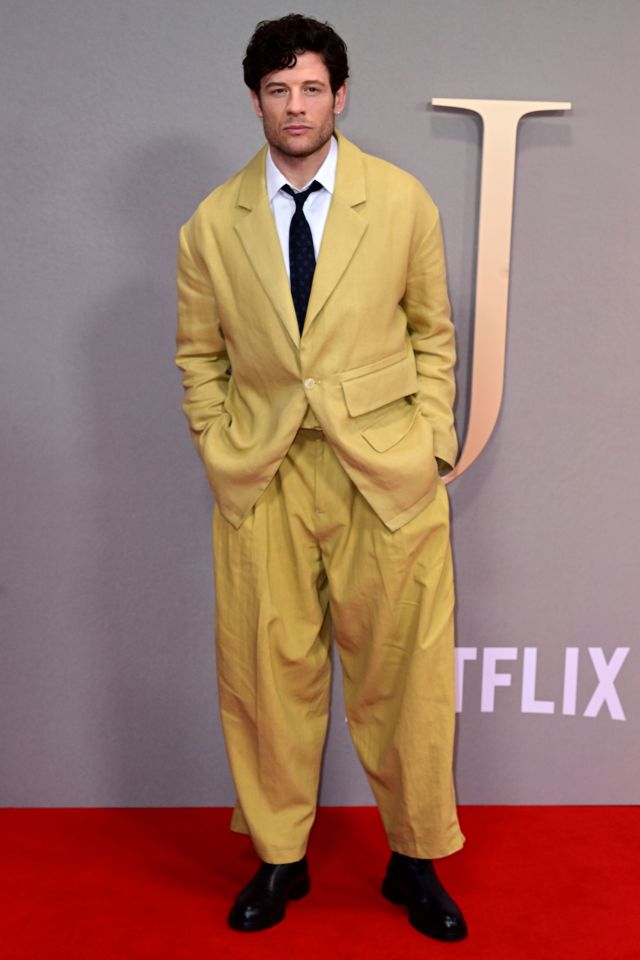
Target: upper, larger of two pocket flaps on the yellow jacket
<point>374,386</point>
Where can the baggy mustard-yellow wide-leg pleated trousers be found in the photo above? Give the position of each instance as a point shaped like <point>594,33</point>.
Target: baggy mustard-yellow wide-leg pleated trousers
<point>313,551</point>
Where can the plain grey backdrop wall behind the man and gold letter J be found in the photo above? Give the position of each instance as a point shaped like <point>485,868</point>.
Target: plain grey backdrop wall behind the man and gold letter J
<point>117,118</point>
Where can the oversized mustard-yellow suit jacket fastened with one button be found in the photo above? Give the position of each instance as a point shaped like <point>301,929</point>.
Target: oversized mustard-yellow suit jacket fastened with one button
<point>375,360</point>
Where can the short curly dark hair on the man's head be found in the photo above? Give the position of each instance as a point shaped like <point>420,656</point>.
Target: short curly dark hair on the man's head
<point>275,43</point>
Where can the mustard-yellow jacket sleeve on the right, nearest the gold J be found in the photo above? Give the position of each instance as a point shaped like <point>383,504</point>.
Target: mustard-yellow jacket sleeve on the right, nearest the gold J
<point>426,304</point>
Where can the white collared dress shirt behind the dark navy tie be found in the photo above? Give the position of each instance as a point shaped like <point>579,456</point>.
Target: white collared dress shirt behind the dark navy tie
<point>316,207</point>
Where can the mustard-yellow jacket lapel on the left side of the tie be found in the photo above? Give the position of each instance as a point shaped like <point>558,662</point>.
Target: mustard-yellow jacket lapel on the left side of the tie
<point>259,238</point>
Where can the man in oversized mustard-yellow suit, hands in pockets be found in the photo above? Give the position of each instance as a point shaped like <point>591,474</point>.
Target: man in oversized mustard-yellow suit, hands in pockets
<point>317,349</point>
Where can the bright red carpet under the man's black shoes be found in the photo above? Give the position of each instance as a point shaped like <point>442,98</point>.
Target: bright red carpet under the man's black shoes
<point>535,882</point>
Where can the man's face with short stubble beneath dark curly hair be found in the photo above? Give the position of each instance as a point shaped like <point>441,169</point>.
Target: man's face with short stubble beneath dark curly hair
<point>298,108</point>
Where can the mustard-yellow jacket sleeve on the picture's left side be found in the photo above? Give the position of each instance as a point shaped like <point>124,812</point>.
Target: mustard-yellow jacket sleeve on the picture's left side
<point>201,355</point>
